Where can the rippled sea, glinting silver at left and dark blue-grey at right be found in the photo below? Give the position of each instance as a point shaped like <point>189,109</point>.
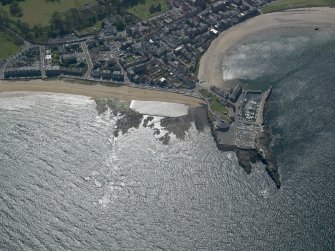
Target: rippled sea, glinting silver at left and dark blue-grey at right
<point>68,182</point>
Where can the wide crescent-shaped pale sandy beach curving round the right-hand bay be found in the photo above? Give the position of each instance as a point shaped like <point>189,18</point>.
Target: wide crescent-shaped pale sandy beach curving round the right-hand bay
<point>210,72</point>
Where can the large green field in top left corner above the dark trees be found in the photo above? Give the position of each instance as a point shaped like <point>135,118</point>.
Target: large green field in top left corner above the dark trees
<point>40,11</point>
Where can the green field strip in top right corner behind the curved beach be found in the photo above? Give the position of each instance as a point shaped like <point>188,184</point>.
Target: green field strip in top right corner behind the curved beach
<point>293,4</point>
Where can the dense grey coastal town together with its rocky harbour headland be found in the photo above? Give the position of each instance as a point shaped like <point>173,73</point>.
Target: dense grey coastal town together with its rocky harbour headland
<point>161,53</point>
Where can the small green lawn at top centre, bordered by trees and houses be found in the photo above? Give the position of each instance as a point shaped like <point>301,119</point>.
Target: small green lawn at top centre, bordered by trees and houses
<point>142,10</point>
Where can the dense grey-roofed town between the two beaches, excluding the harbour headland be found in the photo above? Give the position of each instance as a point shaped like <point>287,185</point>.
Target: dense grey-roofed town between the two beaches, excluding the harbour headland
<point>162,52</point>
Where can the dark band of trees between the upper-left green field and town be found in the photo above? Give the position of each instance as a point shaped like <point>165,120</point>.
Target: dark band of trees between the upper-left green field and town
<point>64,23</point>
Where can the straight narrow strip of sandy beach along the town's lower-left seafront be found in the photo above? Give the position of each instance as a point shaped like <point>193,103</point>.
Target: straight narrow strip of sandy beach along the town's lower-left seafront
<point>97,91</point>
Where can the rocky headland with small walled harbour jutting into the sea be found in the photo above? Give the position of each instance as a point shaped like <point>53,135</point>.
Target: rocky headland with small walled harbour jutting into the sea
<point>237,124</point>
